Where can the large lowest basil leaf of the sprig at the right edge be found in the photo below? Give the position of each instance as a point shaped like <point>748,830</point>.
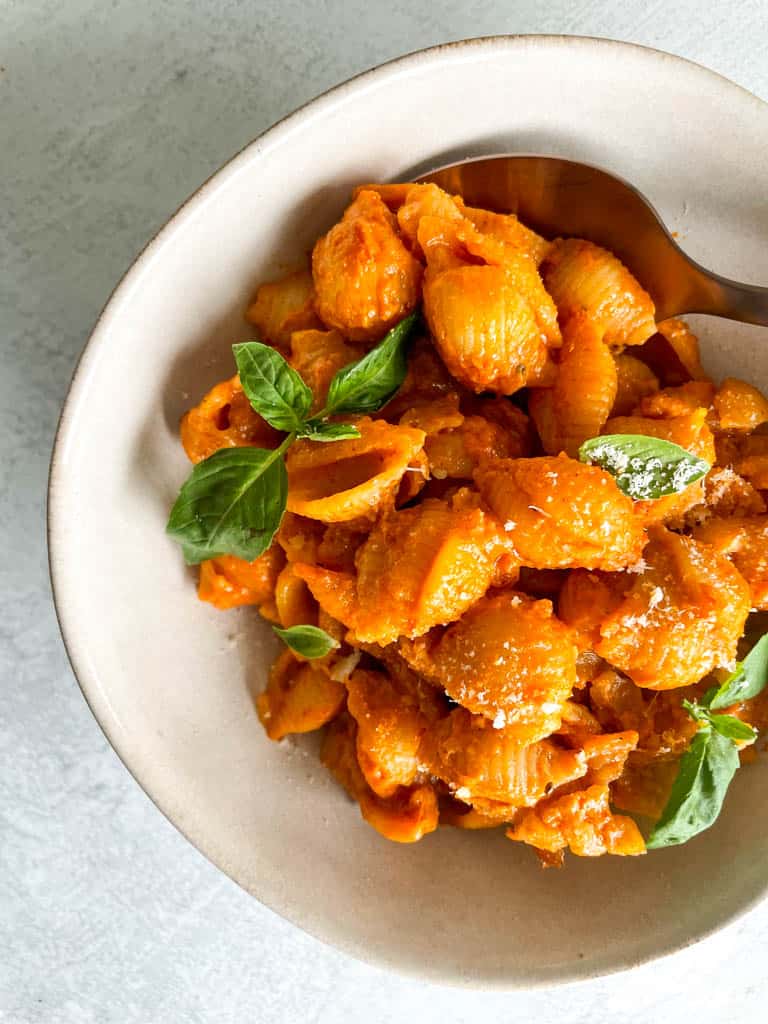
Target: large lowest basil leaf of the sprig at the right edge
<point>698,794</point>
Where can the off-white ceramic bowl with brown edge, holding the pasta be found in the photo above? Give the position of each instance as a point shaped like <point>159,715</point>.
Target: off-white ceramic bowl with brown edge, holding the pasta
<point>170,679</point>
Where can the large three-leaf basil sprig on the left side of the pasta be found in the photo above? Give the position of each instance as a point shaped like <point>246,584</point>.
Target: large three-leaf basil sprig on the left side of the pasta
<point>233,502</point>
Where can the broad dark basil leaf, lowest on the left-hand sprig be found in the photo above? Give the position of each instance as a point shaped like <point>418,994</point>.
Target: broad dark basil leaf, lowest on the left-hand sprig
<point>231,504</point>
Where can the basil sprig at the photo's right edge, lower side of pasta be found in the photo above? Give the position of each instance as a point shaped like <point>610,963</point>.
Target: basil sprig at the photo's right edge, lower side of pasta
<point>712,759</point>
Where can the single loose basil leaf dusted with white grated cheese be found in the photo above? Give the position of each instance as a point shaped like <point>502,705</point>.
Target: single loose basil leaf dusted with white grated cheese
<point>645,467</point>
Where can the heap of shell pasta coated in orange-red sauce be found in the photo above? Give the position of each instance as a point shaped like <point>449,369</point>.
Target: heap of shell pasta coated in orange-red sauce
<point>491,627</point>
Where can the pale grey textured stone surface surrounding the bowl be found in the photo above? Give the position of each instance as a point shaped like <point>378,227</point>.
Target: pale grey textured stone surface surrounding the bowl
<point>111,113</point>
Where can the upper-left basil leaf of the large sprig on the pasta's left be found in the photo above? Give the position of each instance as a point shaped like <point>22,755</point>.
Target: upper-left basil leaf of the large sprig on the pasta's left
<point>274,389</point>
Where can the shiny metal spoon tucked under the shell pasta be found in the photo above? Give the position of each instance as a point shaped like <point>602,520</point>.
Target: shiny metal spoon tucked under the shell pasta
<point>565,198</point>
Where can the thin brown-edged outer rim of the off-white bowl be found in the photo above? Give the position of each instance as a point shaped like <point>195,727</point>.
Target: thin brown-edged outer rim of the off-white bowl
<point>141,265</point>
